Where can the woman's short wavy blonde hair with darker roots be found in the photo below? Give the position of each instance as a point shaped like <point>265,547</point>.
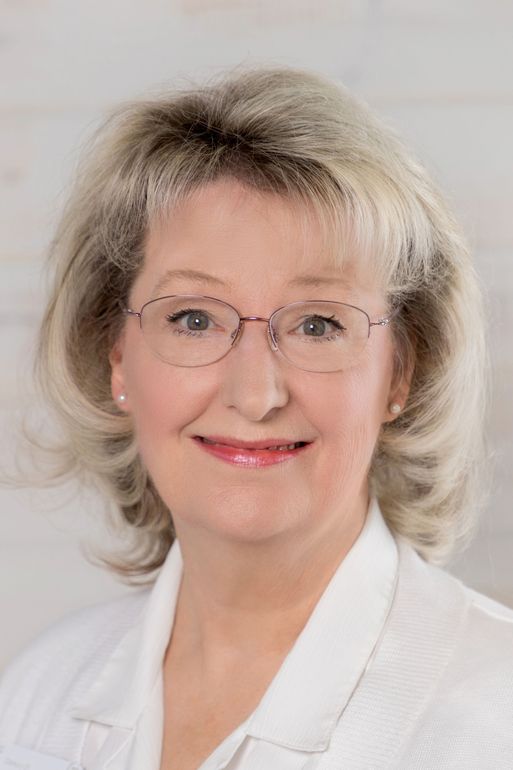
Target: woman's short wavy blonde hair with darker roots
<point>301,135</point>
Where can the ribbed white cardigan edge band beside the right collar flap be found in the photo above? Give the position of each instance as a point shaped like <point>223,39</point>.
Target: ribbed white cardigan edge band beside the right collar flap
<point>420,636</point>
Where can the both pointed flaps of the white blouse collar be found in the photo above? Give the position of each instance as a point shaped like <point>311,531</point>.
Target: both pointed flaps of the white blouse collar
<point>318,676</point>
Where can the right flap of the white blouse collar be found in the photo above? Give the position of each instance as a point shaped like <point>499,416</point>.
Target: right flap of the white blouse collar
<point>323,668</point>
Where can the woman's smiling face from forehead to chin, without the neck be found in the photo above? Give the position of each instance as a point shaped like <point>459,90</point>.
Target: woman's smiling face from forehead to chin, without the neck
<point>256,244</point>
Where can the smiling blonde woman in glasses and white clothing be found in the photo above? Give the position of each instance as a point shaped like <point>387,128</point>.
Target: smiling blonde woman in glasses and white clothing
<point>265,342</point>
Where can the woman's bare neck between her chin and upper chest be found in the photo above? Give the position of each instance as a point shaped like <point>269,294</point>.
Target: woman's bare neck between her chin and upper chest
<point>247,599</point>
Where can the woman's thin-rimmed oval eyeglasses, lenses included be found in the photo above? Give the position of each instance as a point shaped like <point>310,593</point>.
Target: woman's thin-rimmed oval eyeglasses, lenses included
<point>195,330</point>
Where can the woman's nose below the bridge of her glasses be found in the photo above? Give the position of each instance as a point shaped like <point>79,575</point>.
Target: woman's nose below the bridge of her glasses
<point>254,379</point>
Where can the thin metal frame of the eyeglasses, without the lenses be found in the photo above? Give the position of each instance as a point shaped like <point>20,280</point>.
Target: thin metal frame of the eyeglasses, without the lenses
<point>385,321</point>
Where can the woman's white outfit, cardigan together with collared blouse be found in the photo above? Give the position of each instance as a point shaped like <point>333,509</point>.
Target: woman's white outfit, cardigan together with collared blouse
<point>399,666</point>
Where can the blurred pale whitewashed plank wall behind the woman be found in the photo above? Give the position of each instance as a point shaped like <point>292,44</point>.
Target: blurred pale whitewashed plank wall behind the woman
<point>440,73</point>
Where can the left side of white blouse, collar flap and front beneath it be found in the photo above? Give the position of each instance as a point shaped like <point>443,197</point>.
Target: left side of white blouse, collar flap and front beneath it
<point>123,707</point>
